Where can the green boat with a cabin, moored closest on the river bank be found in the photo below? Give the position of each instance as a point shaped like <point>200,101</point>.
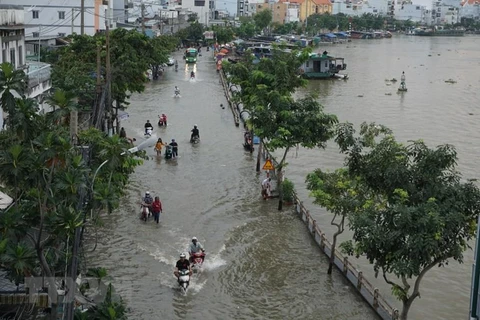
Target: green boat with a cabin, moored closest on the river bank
<point>323,66</point>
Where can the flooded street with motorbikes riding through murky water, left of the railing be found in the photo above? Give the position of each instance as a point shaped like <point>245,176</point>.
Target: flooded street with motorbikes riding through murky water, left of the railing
<point>260,264</point>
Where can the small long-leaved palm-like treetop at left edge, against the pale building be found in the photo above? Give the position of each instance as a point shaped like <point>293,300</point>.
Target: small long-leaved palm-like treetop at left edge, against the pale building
<point>13,84</point>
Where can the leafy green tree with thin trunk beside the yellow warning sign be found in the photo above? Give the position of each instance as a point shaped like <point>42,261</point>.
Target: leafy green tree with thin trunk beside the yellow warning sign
<point>279,120</point>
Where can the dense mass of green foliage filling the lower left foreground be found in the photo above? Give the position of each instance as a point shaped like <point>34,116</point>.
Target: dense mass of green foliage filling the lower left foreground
<point>46,175</point>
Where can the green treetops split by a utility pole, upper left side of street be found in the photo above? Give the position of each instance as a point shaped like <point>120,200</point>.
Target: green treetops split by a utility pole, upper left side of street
<point>131,55</point>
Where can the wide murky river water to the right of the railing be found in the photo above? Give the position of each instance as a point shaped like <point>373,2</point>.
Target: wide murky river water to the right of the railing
<point>432,110</point>
